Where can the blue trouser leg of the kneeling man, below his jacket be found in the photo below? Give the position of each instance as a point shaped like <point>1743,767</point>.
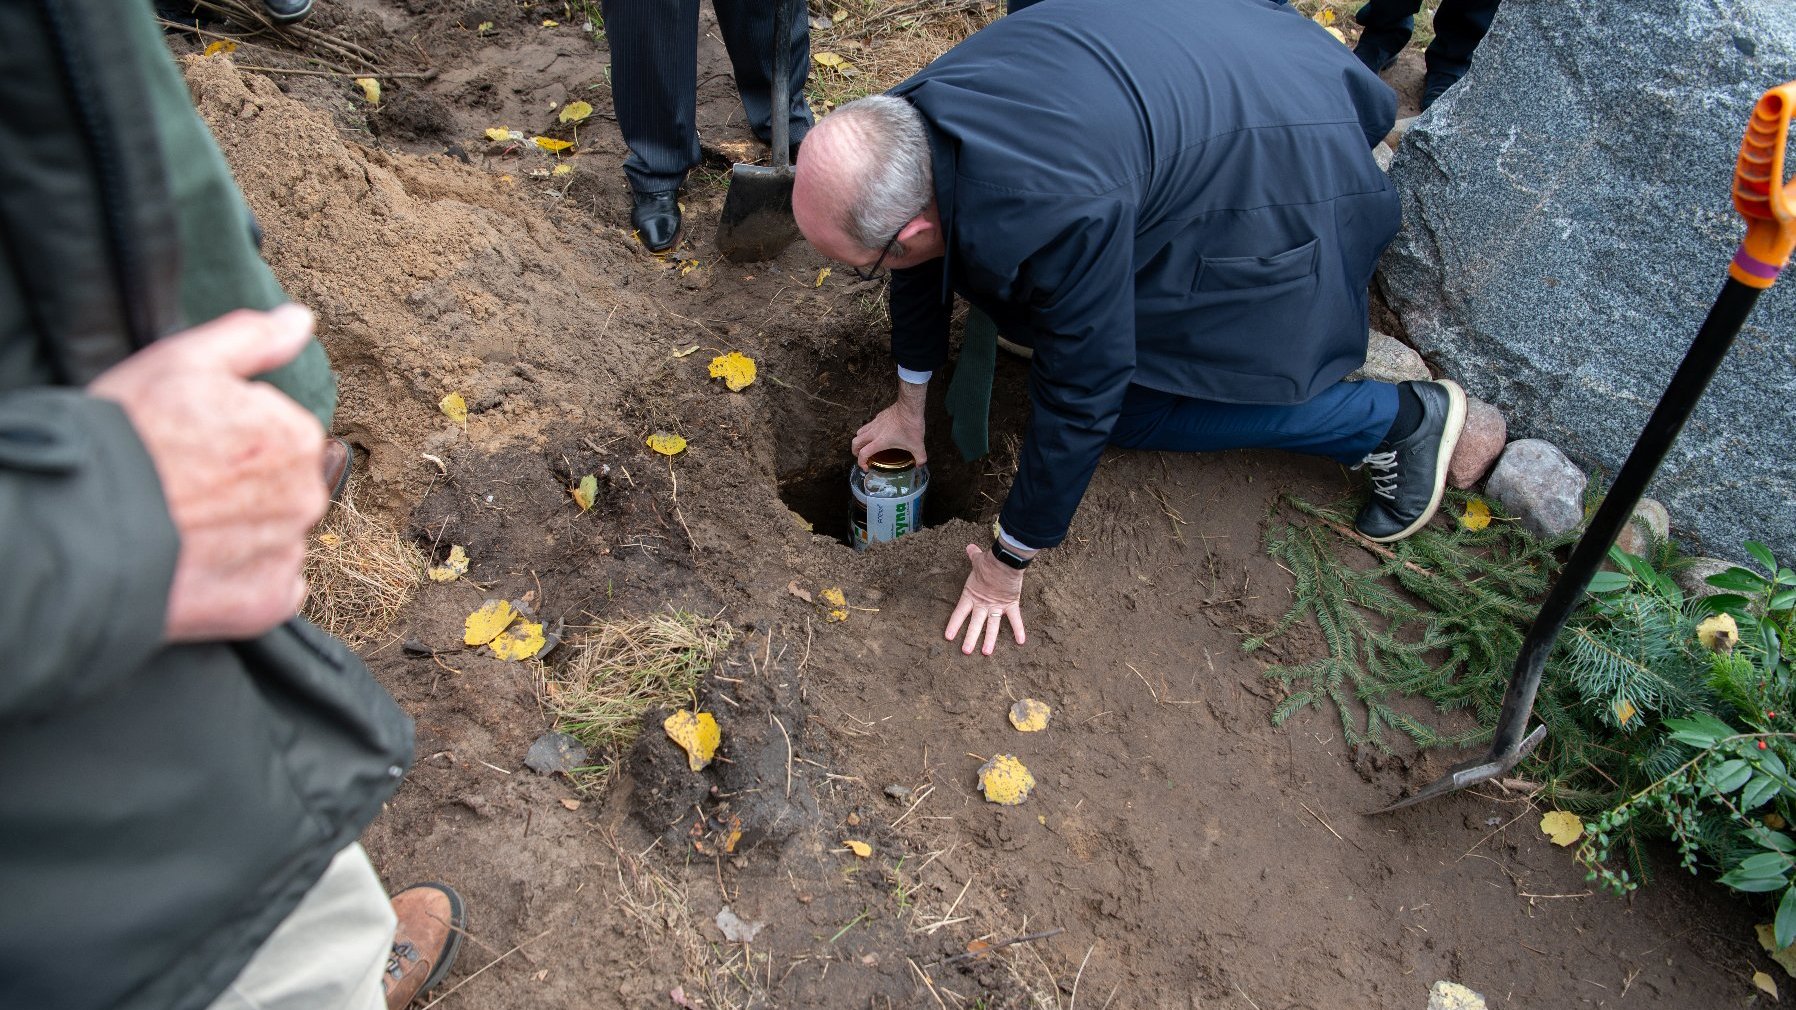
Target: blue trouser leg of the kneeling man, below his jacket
<point>1343,423</point>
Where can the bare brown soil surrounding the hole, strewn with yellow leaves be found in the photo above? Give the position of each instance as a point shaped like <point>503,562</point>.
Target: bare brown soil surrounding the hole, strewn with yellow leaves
<point>1188,853</point>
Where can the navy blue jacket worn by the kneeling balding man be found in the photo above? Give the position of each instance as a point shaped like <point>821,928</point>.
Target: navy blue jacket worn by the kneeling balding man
<point>1170,193</point>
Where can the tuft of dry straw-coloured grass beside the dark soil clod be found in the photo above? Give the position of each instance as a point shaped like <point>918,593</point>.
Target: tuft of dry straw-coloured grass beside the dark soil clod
<point>621,669</point>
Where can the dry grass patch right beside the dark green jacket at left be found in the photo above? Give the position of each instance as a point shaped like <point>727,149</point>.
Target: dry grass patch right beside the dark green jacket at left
<point>362,572</point>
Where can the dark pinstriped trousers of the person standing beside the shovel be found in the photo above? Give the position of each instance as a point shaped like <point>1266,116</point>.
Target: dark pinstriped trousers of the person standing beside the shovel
<point>655,78</point>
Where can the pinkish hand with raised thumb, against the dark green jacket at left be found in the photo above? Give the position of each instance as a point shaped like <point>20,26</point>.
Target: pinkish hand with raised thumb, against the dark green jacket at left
<point>240,466</point>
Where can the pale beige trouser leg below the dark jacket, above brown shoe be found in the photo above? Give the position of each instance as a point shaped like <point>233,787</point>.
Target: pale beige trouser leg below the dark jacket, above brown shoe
<point>331,953</point>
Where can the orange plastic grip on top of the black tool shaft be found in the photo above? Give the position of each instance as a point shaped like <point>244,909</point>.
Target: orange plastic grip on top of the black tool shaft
<point>1761,193</point>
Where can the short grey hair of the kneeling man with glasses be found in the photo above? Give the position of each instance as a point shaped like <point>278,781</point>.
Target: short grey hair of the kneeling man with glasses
<point>894,179</point>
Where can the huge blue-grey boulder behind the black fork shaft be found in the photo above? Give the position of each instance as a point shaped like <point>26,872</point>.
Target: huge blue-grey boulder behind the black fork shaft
<point>1567,226</point>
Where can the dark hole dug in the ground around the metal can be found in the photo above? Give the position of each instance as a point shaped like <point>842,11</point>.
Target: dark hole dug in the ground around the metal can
<point>816,459</point>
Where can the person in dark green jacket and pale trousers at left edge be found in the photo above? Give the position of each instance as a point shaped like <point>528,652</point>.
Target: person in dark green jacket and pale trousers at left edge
<point>184,765</point>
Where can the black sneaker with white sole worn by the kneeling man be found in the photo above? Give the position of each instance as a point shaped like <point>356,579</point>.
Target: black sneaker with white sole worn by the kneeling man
<point>1411,475</point>
